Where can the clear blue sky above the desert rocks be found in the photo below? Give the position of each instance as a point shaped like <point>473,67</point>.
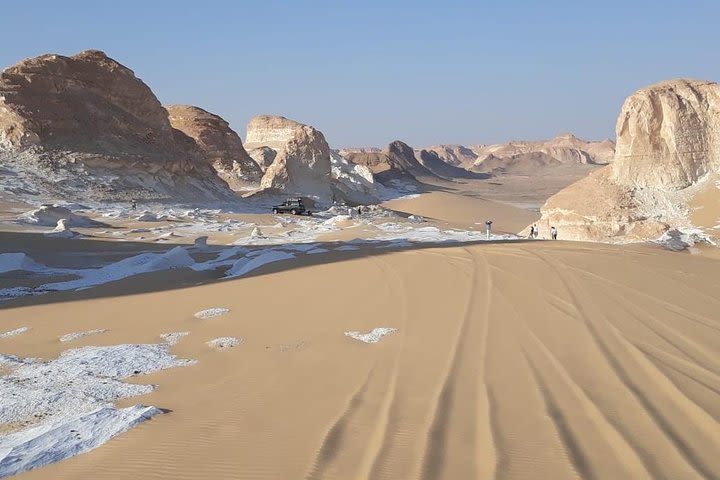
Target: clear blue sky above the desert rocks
<point>368,72</point>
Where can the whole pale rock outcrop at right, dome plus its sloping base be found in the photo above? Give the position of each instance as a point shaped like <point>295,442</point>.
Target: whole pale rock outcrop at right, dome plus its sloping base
<point>668,139</point>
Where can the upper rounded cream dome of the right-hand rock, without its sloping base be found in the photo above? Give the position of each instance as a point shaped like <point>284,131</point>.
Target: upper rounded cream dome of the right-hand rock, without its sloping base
<point>668,135</point>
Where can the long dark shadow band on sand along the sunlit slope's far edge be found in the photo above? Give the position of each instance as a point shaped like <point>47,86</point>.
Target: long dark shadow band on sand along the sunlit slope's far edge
<point>89,253</point>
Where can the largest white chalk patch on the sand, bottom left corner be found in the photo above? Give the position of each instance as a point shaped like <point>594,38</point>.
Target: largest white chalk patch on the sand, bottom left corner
<point>63,407</point>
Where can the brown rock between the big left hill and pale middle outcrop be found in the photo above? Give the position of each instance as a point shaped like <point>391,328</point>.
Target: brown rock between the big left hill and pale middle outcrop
<point>220,144</point>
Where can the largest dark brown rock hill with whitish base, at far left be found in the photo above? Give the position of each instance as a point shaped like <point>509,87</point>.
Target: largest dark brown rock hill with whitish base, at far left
<point>85,126</point>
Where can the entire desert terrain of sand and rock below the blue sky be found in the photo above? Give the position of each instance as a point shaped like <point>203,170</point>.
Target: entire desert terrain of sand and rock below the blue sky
<point>157,322</point>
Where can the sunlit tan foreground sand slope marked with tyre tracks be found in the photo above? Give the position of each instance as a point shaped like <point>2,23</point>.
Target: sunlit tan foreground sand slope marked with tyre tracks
<point>530,360</point>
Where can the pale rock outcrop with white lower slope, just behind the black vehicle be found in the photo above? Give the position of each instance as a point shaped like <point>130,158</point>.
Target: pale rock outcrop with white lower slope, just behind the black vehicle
<point>303,163</point>
